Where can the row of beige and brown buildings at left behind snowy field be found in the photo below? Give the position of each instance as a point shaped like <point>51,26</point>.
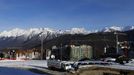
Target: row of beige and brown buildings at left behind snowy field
<point>19,54</point>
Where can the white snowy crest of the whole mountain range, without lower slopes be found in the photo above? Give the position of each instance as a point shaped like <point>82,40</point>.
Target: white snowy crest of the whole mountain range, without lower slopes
<point>28,33</point>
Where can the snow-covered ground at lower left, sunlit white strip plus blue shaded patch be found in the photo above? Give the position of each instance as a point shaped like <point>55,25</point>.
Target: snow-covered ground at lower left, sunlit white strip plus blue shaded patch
<point>7,67</point>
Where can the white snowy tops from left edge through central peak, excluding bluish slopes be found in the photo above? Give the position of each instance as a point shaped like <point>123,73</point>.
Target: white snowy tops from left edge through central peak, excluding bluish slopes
<point>34,31</point>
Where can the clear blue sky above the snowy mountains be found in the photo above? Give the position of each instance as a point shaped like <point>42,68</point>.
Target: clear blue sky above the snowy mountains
<point>65,14</point>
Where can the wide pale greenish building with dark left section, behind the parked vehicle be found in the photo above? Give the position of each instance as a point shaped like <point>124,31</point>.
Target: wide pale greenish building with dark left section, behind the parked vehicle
<point>72,52</point>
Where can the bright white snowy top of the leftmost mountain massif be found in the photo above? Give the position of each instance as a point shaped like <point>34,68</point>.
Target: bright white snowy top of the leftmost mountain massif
<point>20,32</point>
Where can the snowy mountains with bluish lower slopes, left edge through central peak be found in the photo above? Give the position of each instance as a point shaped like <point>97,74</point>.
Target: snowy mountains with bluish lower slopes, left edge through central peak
<point>19,37</point>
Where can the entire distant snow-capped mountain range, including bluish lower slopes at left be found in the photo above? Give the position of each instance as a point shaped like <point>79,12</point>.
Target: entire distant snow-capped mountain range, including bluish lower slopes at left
<point>21,38</point>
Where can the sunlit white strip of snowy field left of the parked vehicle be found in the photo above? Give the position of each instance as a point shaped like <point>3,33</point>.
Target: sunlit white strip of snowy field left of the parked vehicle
<point>23,63</point>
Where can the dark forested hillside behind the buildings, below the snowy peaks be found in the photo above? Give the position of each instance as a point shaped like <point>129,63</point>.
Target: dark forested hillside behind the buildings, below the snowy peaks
<point>97,40</point>
